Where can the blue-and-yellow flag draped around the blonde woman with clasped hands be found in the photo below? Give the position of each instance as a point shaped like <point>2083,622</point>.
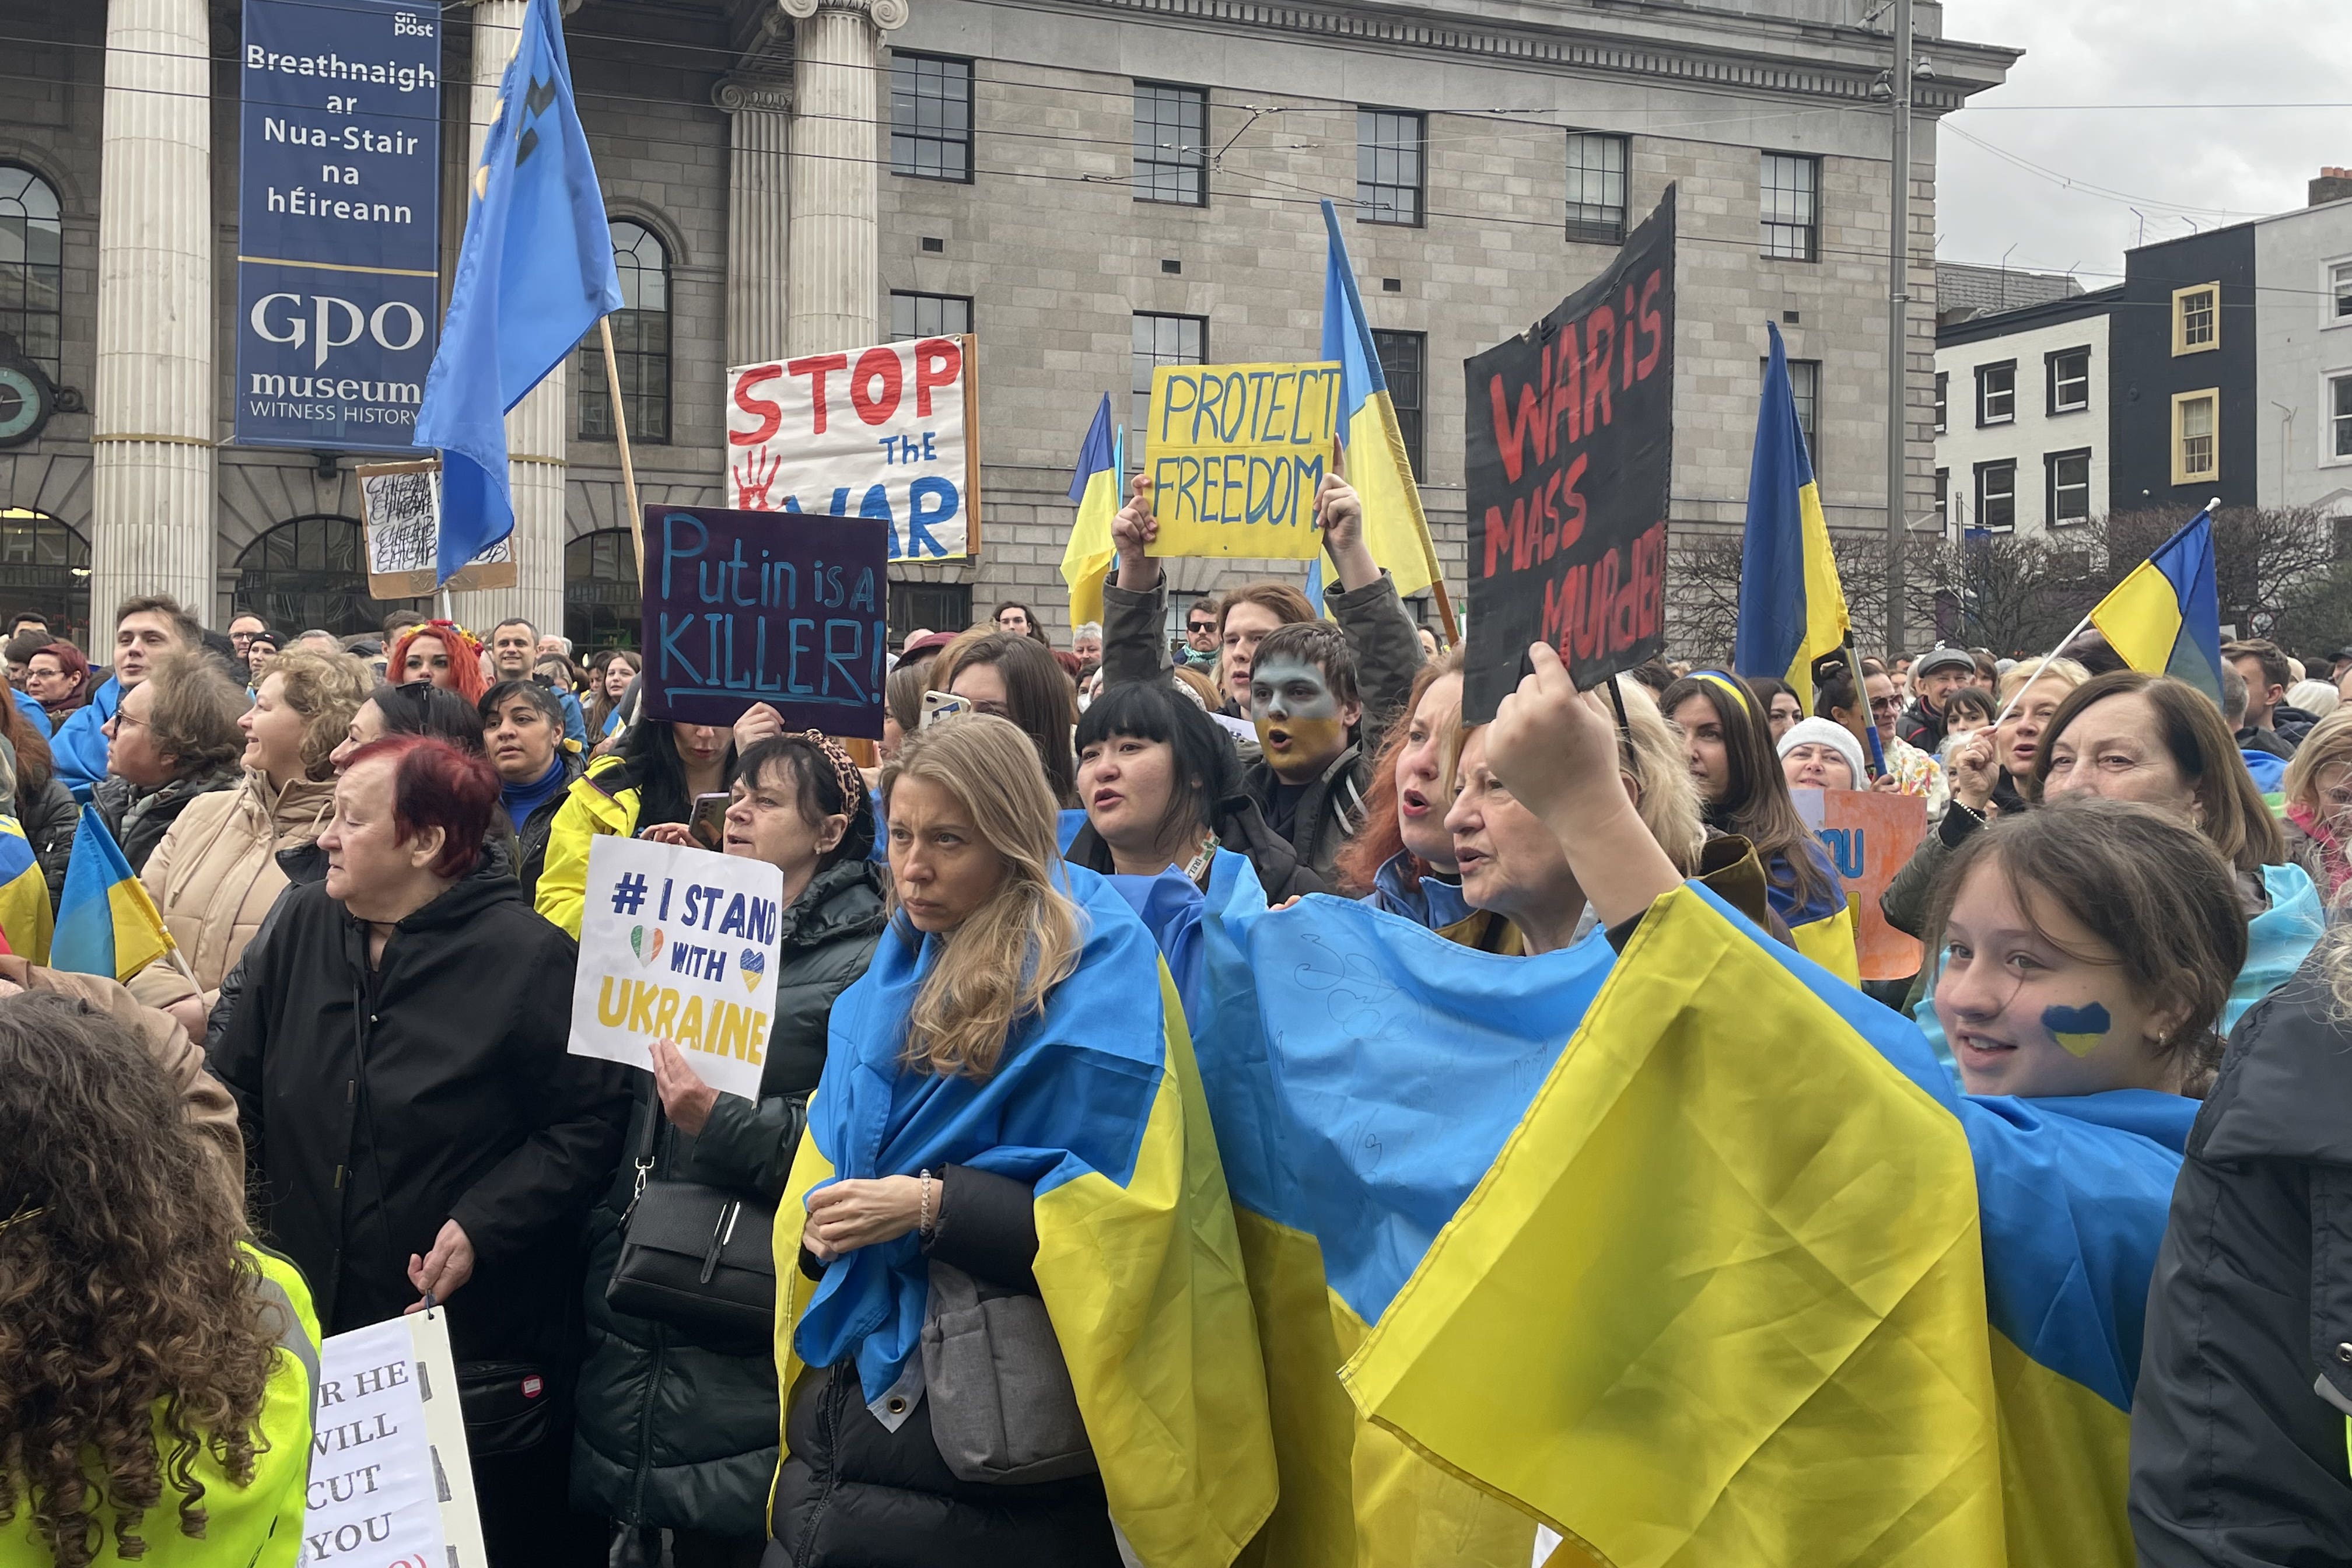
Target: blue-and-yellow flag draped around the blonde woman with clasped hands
<point>1100,1108</point>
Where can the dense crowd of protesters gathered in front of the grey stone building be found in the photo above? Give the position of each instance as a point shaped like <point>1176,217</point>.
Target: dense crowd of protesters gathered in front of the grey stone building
<point>352,1090</point>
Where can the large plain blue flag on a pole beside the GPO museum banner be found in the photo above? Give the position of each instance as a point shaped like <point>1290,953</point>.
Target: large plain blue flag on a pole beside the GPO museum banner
<point>533,276</point>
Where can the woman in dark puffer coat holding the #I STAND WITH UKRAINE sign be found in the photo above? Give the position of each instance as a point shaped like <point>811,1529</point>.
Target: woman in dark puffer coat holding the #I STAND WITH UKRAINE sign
<point>679,1428</point>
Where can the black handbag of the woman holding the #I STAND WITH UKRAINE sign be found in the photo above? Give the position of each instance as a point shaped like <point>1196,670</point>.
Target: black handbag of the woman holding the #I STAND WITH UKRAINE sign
<point>695,1257</point>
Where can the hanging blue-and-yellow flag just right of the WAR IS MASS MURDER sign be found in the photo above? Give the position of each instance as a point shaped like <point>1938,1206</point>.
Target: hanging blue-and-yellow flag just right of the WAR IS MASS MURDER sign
<point>1793,608</point>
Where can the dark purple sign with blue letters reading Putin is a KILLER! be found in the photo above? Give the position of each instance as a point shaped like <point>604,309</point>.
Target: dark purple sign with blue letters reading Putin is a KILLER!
<point>766,608</point>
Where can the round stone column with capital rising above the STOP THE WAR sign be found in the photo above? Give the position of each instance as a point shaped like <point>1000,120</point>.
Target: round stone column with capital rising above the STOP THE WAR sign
<point>834,276</point>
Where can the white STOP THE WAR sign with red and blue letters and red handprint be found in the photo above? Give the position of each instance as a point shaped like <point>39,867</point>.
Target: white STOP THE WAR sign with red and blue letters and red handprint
<point>883,434</point>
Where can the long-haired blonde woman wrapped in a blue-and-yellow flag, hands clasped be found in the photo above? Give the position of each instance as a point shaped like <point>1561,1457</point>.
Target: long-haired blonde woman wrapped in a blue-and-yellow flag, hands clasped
<point>1008,1224</point>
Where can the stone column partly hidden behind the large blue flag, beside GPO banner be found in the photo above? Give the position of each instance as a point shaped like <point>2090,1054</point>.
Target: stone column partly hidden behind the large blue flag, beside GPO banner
<point>540,424</point>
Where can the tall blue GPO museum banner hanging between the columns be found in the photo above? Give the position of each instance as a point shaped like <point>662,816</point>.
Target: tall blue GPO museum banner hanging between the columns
<point>338,222</point>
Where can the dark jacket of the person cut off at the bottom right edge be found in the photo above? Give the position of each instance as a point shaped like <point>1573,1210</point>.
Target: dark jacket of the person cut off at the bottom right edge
<point>2238,1426</point>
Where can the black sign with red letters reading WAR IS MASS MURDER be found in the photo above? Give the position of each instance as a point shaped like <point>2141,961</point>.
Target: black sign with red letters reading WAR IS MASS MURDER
<point>1570,460</point>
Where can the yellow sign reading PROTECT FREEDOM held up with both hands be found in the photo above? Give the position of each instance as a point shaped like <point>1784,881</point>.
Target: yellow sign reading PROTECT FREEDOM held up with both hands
<point>1238,453</point>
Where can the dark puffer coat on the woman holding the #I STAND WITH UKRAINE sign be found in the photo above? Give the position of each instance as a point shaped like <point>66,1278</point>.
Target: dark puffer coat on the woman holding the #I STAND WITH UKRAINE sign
<point>676,1430</point>
